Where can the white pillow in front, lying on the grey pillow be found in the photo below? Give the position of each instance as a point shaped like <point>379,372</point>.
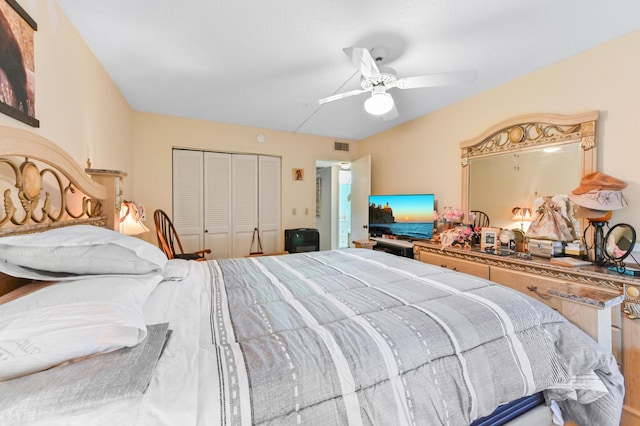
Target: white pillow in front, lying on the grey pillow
<point>72,319</point>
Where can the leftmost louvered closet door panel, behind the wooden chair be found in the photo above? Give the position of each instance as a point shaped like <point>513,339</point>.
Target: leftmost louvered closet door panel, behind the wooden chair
<point>188,198</point>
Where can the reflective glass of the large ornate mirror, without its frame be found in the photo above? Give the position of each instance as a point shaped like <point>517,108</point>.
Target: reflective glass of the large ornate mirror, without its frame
<point>499,182</point>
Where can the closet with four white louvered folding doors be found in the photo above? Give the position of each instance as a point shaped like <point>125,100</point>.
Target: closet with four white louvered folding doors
<point>220,198</point>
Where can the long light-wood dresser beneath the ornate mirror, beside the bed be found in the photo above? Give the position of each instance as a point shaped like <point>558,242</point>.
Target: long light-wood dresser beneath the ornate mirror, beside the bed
<point>595,299</point>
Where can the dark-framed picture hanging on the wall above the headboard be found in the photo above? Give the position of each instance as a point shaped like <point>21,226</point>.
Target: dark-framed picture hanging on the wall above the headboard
<point>17,63</point>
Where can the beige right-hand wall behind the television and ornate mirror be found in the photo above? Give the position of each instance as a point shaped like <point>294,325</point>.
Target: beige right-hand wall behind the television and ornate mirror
<point>423,155</point>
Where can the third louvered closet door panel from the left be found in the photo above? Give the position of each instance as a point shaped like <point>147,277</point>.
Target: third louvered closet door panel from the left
<point>244,172</point>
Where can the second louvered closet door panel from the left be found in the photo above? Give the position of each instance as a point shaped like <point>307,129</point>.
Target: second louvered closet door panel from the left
<point>217,201</point>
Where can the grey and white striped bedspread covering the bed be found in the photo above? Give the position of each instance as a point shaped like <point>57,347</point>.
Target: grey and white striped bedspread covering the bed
<point>360,337</point>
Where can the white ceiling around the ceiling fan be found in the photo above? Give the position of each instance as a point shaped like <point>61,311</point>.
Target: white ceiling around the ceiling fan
<point>266,63</point>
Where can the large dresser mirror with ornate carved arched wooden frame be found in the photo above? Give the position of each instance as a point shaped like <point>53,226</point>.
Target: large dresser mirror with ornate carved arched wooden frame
<point>516,161</point>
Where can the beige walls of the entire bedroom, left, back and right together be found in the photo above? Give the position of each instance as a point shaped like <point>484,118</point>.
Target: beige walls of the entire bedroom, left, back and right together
<point>81,109</point>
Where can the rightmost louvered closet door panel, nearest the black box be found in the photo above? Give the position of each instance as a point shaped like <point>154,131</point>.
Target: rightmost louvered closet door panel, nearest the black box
<point>269,203</point>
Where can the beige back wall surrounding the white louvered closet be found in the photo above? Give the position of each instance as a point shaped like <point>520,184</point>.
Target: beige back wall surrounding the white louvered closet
<point>156,135</point>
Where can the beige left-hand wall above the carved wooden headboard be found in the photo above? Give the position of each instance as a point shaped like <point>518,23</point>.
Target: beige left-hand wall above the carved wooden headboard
<point>78,105</point>
